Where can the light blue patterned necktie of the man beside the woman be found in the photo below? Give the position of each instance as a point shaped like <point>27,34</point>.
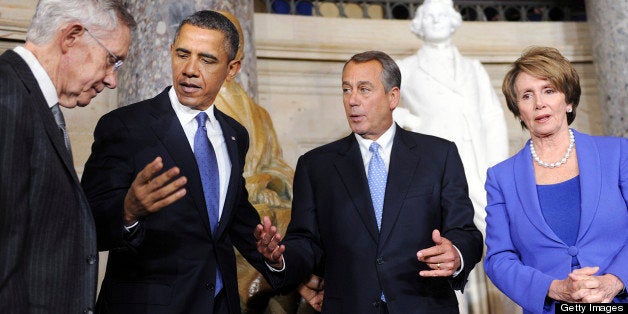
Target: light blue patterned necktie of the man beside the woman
<point>377,175</point>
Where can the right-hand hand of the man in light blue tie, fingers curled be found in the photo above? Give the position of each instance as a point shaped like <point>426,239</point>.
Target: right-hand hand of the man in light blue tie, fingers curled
<point>442,258</point>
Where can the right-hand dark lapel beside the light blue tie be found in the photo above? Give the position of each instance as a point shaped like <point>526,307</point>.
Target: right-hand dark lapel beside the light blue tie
<point>403,165</point>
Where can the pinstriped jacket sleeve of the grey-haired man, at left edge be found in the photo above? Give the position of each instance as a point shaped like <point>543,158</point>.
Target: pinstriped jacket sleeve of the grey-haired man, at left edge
<point>15,155</point>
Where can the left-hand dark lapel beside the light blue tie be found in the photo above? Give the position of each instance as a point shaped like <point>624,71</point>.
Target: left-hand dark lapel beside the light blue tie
<point>351,171</point>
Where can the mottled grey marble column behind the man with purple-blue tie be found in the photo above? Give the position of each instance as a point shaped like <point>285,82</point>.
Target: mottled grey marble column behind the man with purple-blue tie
<point>147,70</point>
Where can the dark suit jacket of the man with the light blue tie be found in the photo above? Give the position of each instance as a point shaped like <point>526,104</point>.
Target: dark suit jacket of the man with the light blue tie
<point>333,221</point>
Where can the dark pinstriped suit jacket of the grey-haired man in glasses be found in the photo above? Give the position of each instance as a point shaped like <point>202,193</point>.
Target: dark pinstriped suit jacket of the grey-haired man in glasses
<point>48,256</point>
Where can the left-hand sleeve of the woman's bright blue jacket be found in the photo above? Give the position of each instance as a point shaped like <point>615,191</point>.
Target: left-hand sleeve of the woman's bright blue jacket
<point>502,263</point>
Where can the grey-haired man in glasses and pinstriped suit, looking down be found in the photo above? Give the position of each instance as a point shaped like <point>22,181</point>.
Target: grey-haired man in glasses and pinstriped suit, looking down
<point>48,256</point>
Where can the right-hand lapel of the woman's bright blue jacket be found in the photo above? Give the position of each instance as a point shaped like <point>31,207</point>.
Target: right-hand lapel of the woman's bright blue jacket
<point>590,180</point>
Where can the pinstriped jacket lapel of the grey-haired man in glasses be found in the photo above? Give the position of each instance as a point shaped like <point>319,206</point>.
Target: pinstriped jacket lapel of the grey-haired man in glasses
<point>41,108</point>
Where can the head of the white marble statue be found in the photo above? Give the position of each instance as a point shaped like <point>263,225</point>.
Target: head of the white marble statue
<point>435,21</point>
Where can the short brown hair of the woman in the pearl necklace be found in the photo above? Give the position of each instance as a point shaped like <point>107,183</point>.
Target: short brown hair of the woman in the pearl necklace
<point>546,63</point>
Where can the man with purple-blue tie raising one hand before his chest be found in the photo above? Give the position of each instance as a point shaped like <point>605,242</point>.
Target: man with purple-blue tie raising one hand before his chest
<point>170,233</point>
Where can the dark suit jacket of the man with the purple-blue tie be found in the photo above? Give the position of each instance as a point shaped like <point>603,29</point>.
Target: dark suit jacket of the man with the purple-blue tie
<point>169,264</point>
